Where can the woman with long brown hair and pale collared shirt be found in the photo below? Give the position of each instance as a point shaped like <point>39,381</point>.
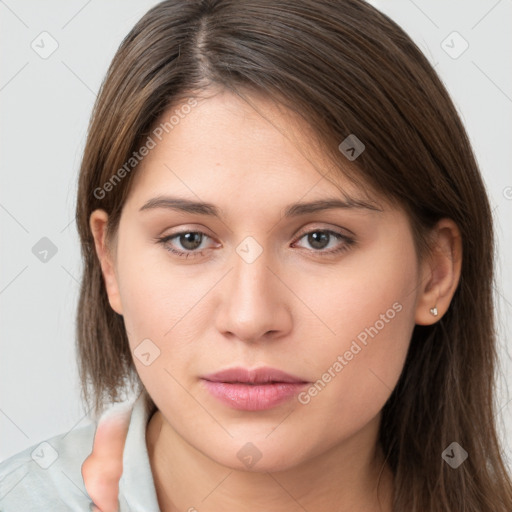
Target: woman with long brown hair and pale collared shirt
<point>288,255</point>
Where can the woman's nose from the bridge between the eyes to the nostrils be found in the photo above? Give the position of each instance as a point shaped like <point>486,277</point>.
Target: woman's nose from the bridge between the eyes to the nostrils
<point>254,302</point>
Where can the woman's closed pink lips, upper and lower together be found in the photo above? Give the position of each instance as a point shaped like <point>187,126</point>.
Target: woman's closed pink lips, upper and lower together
<point>253,390</point>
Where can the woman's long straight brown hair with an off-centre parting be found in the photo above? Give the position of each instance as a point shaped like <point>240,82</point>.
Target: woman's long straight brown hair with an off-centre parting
<point>345,68</point>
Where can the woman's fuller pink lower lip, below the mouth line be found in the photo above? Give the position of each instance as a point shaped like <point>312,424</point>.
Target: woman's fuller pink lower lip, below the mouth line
<point>253,397</point>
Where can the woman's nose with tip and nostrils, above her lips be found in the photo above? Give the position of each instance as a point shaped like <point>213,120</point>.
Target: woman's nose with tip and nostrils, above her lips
<point>255,303</point>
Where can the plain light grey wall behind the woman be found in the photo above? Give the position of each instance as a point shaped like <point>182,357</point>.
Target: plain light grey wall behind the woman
<point>46,104</point>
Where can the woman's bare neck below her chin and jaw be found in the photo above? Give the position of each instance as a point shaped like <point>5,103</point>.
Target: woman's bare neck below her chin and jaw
<point>351,476</point>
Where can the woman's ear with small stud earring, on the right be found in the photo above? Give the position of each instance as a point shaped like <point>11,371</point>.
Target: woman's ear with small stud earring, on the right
<point>440,272</point>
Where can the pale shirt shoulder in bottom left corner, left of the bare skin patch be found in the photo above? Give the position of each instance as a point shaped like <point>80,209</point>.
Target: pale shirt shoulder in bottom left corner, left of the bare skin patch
<point>47,475</point>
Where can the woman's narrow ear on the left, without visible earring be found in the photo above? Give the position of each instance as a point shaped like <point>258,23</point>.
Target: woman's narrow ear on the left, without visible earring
<point>98,224</point>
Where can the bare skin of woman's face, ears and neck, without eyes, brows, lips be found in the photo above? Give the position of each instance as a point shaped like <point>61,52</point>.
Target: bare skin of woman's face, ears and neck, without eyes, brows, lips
<point>291,309</point>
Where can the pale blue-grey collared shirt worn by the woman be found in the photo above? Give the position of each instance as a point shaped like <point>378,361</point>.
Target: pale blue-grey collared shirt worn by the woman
<point>47,476</point>
